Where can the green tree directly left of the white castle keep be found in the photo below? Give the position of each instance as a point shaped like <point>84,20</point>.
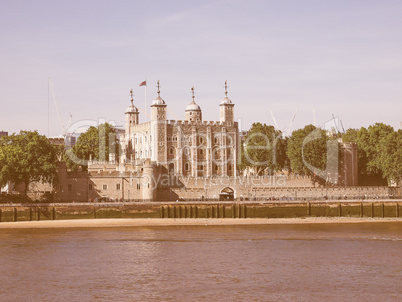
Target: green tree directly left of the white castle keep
<point>95,143</point>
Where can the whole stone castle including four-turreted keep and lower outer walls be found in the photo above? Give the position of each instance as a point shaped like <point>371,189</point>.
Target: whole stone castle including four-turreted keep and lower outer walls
<point>162,160</point>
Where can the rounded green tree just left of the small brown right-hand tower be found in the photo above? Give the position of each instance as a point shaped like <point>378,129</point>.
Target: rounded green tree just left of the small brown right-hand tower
<point>307,152</point>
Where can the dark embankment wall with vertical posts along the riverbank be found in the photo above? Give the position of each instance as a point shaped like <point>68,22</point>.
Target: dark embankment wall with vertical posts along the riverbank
<point>38,212</point>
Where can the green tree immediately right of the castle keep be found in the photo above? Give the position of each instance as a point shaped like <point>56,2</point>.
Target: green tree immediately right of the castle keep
<point>263,149</point>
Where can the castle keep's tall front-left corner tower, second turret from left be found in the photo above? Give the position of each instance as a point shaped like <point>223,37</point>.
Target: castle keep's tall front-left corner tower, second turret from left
<point>158,130</point>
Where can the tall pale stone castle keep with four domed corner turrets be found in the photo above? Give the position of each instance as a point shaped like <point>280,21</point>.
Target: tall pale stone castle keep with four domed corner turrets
<point>191,147</point>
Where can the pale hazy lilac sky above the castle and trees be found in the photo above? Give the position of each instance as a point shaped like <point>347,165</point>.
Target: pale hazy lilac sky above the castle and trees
<point>331,57</point>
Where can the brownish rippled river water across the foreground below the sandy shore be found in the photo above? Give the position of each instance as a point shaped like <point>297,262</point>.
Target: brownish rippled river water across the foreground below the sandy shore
<point>309,262</point>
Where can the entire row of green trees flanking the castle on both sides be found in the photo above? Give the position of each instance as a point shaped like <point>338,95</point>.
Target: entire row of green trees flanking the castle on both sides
<point>30,157</point>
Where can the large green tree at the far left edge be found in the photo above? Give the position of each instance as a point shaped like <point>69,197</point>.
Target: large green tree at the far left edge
<point>26,157</point>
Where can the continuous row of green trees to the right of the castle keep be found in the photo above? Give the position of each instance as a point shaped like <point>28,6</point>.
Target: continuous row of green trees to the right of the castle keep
<point>265,150</point>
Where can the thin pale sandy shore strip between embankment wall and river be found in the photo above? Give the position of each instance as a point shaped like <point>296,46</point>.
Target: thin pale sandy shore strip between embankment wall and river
<point>151,222</point>
